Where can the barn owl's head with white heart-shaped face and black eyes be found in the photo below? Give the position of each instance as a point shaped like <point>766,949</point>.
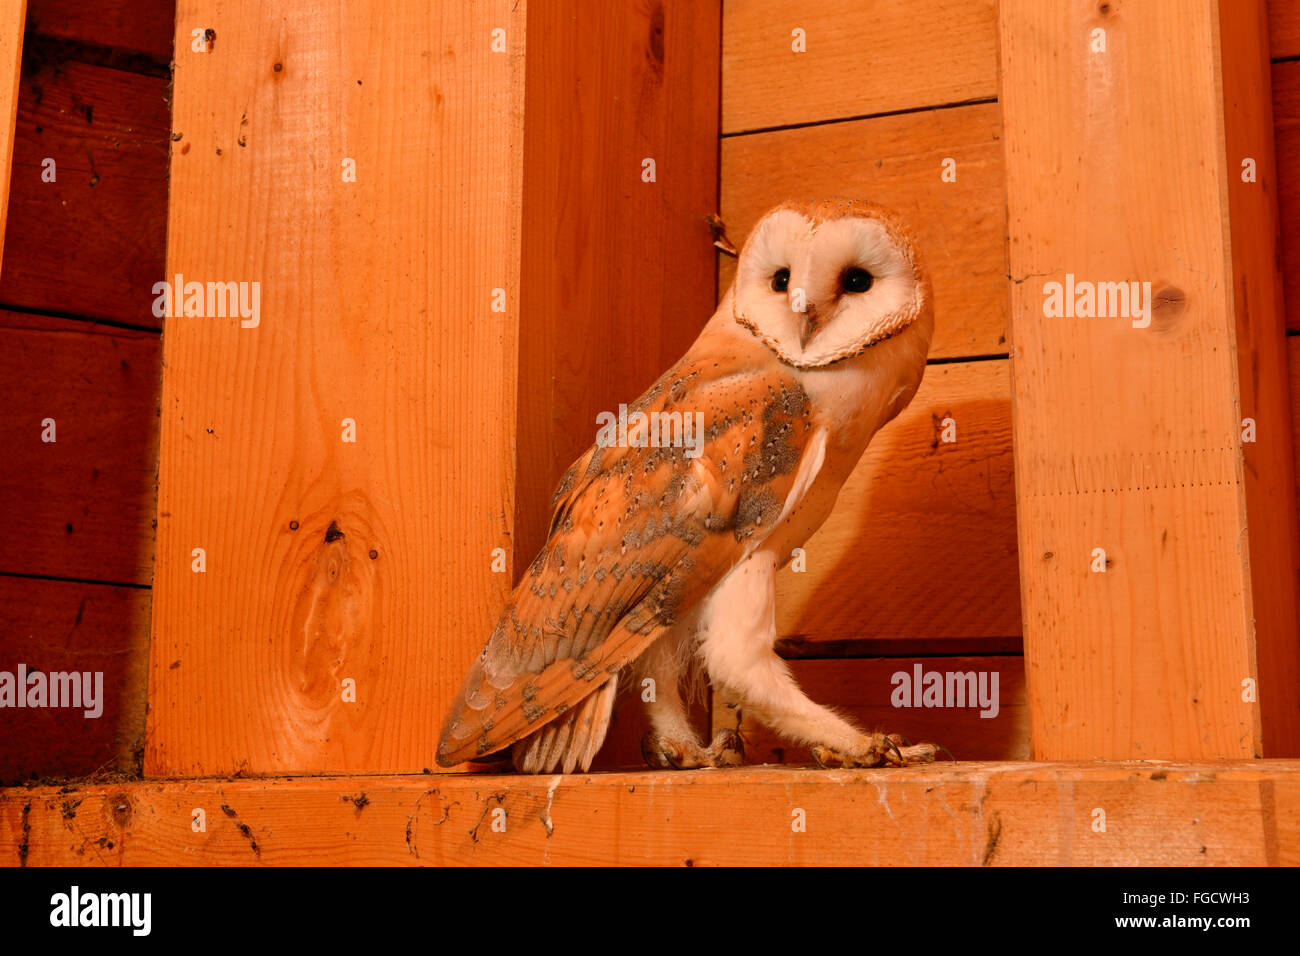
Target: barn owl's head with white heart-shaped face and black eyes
<point>818,283</point>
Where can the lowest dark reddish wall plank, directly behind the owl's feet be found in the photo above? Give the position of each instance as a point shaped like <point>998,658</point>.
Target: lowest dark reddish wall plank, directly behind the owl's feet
<point>873,694</point>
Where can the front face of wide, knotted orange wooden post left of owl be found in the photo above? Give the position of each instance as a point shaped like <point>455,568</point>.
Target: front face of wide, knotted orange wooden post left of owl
<point>332,561</point>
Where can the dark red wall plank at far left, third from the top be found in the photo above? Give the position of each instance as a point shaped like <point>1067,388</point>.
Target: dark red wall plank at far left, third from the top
<point>84,505</point>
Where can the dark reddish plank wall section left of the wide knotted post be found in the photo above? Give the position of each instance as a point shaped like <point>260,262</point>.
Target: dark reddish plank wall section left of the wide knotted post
<point>80,345</point>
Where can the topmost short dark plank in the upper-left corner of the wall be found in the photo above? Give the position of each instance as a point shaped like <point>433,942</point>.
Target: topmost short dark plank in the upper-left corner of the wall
<point>142,27</point>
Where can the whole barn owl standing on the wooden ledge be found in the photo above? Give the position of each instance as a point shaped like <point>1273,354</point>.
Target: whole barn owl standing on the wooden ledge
<point>664,548</point>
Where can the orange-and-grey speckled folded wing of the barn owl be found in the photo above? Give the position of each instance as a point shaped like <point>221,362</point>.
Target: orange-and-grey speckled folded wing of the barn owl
<point>639,537</point>
